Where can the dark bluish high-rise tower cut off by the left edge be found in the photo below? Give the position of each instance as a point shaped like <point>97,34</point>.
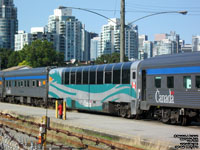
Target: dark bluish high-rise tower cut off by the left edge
<point>8,23</point>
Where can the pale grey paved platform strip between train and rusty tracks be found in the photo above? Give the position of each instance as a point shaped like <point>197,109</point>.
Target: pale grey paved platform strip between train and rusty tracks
<point>152,131</point>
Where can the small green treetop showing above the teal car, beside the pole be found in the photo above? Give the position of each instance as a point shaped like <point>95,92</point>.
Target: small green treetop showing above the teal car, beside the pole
<point>107,58</point>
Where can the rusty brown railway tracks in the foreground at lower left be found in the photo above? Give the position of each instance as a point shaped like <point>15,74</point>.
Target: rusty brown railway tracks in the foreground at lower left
<point>60,138</point>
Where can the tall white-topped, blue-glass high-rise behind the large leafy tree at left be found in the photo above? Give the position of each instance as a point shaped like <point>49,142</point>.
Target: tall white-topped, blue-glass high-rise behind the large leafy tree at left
<point>72,35</point>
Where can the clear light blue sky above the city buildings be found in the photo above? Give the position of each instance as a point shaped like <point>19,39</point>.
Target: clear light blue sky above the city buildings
<point>35,13</point>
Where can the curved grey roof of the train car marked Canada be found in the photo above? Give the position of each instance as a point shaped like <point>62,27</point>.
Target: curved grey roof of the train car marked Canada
<point>182,59</point>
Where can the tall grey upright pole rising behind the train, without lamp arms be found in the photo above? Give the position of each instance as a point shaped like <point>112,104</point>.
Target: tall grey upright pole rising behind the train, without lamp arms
<point>122,31</point>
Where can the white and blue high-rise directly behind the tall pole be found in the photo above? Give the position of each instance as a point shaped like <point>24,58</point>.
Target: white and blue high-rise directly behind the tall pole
<point>110,39</point>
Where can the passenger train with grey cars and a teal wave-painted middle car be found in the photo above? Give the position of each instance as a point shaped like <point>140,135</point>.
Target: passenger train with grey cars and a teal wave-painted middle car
<point>163,87</point>
